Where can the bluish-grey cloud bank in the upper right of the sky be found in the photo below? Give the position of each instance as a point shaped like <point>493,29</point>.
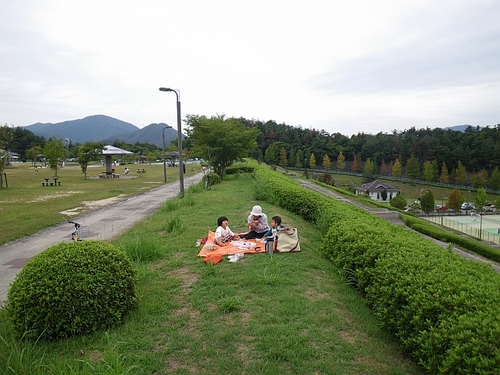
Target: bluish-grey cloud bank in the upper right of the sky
<point>448,48</point>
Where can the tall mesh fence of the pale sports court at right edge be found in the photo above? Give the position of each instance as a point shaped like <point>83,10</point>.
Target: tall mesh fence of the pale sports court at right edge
<point>487,229</point>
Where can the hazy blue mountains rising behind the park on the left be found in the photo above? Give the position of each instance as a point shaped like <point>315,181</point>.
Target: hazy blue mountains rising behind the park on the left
<point>101,128</point>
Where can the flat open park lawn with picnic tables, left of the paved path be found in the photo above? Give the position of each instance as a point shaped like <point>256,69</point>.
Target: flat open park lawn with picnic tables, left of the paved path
<point>26,207</point>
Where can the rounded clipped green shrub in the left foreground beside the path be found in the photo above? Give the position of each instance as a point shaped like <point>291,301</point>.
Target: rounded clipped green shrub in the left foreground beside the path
<point>72,289</point>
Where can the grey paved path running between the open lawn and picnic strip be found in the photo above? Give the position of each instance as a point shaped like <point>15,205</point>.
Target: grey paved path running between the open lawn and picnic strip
<point>102,224</point>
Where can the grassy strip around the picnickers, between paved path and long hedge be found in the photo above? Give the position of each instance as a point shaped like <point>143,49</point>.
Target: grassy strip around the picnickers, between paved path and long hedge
<point>279,314</point>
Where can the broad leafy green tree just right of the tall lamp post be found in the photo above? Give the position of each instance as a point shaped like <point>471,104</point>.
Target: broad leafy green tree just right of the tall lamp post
<point>222,141</point>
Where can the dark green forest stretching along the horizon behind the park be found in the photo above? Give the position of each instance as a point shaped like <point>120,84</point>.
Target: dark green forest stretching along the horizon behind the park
<point>471,157</point>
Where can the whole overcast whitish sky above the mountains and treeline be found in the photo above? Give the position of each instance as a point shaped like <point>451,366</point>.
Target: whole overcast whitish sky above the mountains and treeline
<point>339,66</point>
